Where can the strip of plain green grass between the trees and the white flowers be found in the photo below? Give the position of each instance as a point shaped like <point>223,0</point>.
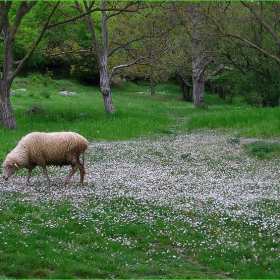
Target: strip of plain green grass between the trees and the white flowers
<point>138,114</point>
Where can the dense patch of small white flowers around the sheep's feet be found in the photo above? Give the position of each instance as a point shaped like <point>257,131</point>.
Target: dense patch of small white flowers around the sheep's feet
<point>201,173</point>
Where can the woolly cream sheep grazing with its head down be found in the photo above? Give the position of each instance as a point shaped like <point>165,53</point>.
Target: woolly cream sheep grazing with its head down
<point>42,149</point>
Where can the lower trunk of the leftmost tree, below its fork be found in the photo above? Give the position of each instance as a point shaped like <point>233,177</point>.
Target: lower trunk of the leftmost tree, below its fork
<point>6,113</point>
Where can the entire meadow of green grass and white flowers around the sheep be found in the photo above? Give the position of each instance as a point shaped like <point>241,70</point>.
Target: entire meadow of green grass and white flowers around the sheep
<point>170,191</point>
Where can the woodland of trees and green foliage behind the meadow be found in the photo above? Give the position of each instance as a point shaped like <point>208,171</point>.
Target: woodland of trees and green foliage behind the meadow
<point>231,48</point>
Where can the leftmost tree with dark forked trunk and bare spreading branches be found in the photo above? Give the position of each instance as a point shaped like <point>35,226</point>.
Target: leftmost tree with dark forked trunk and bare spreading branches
<point>11,17</point>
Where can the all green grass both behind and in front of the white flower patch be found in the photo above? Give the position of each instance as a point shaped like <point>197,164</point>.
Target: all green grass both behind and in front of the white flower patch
<point>61,241</point>
